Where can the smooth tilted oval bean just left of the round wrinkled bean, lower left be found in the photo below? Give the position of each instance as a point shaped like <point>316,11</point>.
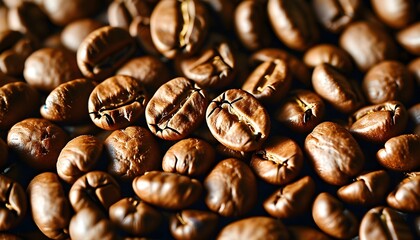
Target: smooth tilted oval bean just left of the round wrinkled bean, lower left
<point>79,156</point>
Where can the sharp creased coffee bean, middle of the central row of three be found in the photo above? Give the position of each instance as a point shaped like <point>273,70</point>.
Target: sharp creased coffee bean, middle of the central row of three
<point>176,109</point>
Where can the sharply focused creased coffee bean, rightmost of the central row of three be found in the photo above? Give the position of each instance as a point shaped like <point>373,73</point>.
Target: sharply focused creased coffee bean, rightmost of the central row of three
<point>238,120</point>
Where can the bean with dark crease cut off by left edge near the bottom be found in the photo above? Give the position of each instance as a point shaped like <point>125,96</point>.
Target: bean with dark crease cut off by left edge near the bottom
<point>13,203</point>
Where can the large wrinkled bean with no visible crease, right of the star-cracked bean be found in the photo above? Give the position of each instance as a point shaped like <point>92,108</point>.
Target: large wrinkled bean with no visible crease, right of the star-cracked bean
<point>335,154</point>
